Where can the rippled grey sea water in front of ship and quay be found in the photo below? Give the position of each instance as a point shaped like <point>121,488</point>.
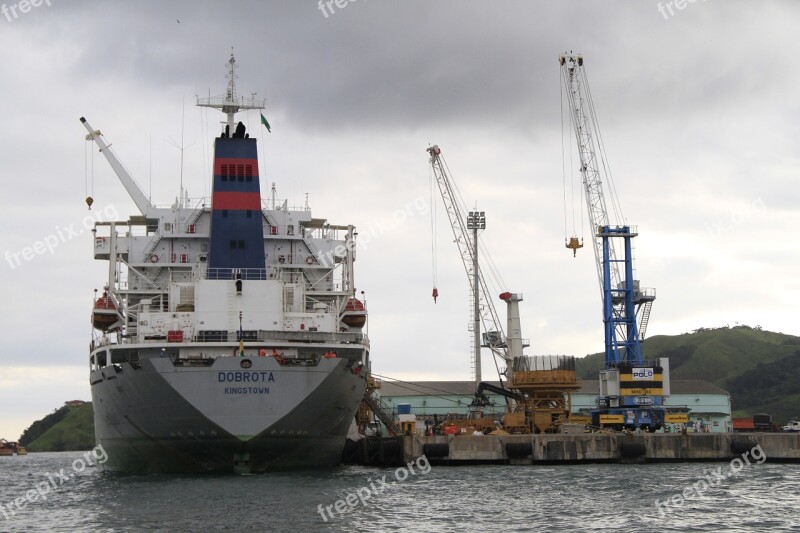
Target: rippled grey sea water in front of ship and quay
<point>68,491</point>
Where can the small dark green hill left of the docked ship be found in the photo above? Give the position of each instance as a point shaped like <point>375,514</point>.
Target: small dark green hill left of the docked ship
<point>66,429</point>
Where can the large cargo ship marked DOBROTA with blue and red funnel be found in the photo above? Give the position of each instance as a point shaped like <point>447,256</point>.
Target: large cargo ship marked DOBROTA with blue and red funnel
<point>228,337</point>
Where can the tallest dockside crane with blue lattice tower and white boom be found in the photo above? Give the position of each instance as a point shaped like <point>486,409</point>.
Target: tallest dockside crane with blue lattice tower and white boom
<point>631,389</point>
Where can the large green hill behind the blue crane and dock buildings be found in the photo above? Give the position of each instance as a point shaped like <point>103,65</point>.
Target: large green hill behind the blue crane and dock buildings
<point>760,369</point>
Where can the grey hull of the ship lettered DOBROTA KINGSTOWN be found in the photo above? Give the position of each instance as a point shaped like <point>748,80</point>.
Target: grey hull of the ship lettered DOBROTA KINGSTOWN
<point>238,415</point>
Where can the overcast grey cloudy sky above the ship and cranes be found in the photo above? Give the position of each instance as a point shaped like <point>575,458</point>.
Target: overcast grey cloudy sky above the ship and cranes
<point>698,110</point>
